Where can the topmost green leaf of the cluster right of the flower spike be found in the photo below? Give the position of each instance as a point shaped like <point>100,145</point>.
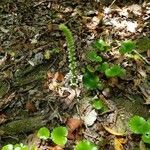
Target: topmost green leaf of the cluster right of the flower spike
<point>100,45</point>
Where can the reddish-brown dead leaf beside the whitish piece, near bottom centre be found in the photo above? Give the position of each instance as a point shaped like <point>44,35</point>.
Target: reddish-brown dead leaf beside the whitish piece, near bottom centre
<point>74,123</point>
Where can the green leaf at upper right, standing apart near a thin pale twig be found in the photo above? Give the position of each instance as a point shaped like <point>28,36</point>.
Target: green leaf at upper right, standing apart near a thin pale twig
<point>127,47</point>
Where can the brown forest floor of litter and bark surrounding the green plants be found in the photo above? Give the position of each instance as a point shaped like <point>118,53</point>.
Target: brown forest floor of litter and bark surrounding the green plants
<point>34,67</point>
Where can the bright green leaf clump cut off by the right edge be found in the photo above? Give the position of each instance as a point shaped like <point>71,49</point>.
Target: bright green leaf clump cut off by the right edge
<point>139,125</point>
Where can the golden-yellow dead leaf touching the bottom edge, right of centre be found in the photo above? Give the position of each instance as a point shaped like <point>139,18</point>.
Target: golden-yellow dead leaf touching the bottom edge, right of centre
<point>118,143</point>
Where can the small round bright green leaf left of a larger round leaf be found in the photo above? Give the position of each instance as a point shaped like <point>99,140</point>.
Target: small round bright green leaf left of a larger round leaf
<point>43,133</point>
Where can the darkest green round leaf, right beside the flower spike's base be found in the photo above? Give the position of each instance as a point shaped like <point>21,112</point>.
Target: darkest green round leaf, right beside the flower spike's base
<point>91,81</point>
